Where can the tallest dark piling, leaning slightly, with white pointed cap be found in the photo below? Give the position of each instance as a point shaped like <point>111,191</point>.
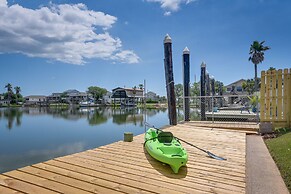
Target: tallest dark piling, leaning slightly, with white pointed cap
<point>168,63</point>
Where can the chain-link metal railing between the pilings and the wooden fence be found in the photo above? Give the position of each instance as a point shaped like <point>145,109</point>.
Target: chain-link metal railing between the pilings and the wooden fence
<point>226,108</point>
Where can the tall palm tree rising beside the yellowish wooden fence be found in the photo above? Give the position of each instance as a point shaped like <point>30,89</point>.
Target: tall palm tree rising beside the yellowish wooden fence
<point>257,56</point>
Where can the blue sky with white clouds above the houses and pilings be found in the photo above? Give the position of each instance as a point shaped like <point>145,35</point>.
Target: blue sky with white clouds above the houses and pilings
<point>52,46</point>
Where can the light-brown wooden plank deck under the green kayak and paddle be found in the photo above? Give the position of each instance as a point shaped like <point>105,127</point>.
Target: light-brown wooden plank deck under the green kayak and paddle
<point>125,167</point>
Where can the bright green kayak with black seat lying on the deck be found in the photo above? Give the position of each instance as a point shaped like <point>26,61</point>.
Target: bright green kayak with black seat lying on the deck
<point>164,147</point>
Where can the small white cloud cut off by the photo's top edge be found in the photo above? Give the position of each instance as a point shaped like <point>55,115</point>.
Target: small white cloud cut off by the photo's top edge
<point>171,5</point>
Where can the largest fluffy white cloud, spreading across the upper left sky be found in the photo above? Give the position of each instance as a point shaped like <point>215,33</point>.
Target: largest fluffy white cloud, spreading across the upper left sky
<point>66,33</point>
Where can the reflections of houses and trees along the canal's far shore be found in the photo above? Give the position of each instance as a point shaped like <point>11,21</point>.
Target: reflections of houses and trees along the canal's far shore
<point>94,116</point>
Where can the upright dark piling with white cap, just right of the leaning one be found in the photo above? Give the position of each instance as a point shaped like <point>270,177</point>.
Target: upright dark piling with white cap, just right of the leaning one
<point>186,83</point>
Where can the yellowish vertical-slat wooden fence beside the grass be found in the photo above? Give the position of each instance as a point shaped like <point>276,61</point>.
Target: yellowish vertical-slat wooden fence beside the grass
<point>275,99</point>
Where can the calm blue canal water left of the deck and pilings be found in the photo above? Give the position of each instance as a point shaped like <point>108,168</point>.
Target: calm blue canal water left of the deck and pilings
<point>33,135</point>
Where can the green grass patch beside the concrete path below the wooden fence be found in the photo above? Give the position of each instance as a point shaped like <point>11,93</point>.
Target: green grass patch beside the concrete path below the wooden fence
<point>280,149</point>
